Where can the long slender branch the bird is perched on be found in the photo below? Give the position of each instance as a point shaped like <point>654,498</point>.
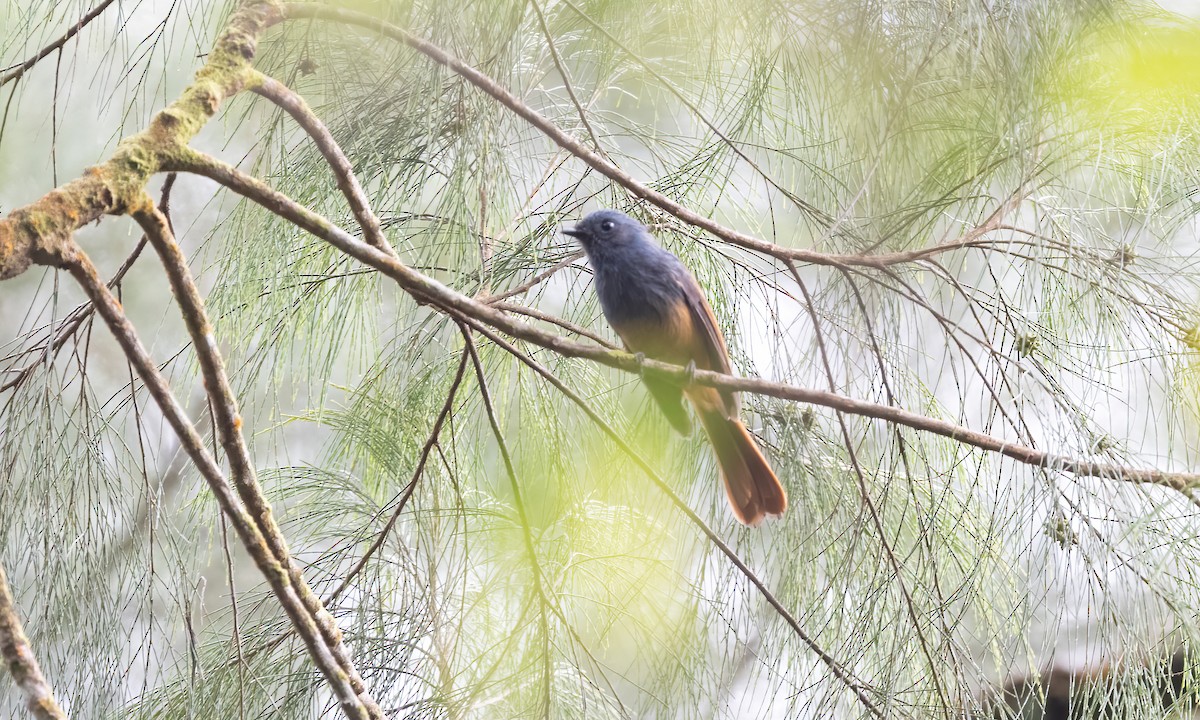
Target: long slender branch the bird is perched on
<point>428,290</point>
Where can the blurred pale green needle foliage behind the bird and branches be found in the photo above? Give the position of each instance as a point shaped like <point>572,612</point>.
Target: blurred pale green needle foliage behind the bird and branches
<point>934,573</point>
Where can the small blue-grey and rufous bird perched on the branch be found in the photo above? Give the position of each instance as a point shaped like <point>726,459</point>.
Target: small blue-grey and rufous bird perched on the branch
<point>658,309</point>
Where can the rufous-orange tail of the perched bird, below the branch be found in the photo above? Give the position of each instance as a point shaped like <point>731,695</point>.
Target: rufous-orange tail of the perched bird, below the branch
<point>752,487</point>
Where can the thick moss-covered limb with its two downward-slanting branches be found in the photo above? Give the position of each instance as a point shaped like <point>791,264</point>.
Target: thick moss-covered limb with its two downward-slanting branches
<point>43,233</point>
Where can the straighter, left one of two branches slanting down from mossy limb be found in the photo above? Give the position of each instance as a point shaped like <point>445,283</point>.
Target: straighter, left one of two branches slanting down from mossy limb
<point>275,573</point>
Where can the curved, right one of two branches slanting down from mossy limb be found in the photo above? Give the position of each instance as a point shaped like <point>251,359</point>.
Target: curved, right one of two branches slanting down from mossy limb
<point>229,423</point>
